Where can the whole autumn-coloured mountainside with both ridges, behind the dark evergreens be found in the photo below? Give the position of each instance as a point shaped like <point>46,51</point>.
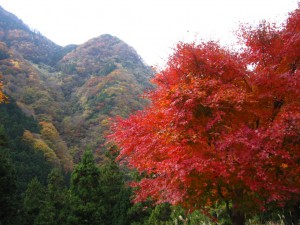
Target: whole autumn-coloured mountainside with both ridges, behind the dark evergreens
<point>71,92</point>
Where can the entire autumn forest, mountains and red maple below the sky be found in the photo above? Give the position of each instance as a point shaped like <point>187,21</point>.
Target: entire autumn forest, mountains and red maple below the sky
<point>89,135</point>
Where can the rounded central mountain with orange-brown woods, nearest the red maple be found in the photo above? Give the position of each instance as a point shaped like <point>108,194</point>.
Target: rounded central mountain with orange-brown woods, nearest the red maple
<point>102,78</point>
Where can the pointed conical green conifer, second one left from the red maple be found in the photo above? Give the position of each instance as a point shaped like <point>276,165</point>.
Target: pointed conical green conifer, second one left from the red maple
<point>86,200</point>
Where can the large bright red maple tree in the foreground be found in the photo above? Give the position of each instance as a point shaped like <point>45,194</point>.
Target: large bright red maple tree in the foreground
<point>222,126</point>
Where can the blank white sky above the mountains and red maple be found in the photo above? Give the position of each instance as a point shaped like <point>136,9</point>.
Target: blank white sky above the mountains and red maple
<point>152,27</point>
